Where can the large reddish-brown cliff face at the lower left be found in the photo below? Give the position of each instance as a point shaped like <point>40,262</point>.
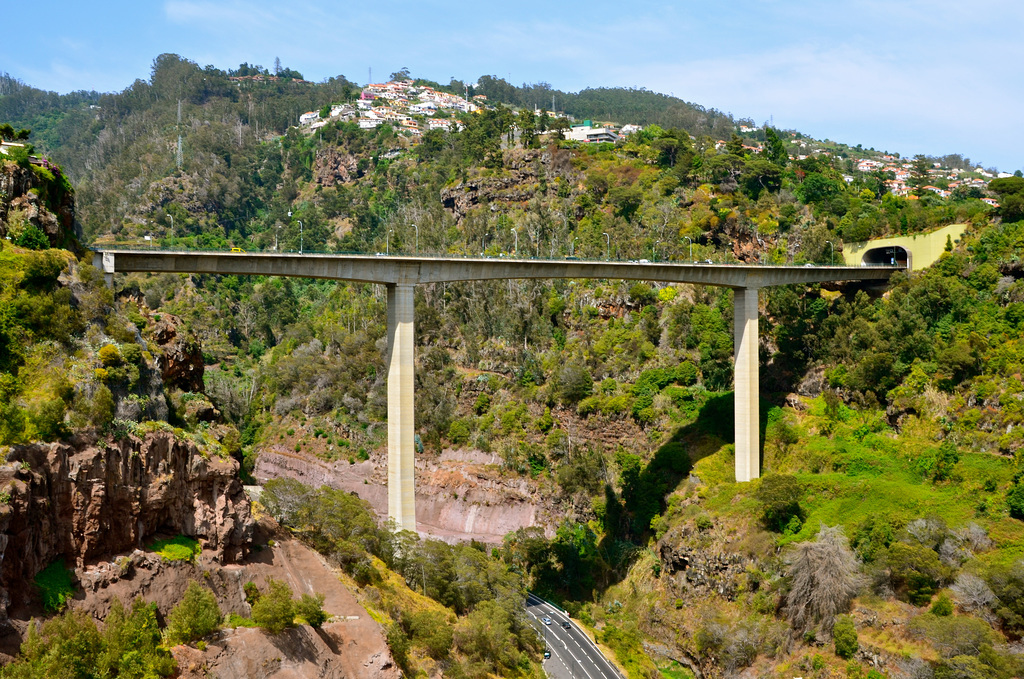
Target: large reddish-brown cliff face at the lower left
<point>81,500</point>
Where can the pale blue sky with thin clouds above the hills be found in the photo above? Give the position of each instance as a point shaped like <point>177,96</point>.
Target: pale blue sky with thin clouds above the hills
<point>911,76</point>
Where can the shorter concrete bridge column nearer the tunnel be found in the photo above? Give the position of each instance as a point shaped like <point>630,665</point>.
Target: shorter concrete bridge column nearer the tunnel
<point>747,383</point>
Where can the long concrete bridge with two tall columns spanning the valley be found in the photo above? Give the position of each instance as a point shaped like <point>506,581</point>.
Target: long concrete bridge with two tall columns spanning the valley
<point>403,274</point>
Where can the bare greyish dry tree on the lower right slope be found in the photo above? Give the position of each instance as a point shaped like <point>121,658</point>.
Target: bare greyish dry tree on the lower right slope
<point>825,577</point>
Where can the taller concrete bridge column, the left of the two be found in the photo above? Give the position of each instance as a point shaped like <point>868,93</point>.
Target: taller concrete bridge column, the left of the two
<point>401,413</point>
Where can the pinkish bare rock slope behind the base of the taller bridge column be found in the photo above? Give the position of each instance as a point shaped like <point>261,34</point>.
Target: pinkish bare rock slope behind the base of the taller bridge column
<point>459,496</point>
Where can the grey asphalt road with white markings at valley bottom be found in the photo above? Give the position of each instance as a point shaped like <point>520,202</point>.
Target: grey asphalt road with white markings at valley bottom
<point>573,654</point>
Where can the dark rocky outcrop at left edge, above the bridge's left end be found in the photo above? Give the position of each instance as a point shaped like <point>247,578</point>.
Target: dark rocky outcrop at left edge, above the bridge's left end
<point>56,221</point>
